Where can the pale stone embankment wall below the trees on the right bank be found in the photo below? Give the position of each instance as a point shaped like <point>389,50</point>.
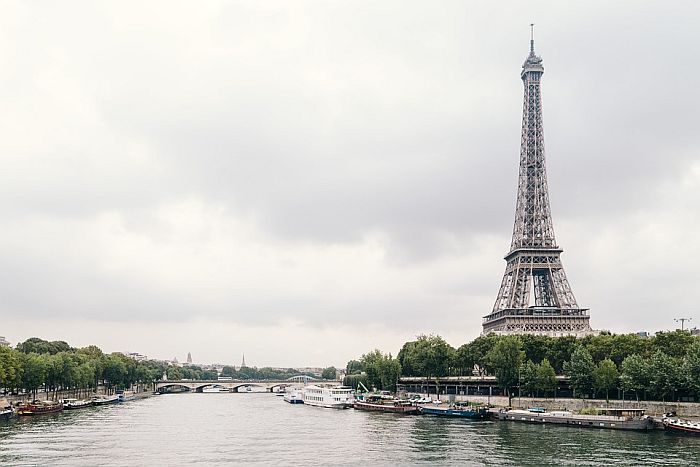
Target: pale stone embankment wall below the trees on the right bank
<point>654,408</point>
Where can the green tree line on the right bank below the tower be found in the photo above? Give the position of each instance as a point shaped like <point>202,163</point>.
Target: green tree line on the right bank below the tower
<point>661,366</point>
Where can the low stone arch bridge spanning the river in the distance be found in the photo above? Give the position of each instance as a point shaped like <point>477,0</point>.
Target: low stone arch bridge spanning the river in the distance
<point>239,385</point>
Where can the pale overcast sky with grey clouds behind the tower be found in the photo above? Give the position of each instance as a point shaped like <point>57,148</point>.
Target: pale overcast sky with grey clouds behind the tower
<point>305,181</point>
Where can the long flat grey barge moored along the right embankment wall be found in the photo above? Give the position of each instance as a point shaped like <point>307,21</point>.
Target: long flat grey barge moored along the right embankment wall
<point>616,419</point>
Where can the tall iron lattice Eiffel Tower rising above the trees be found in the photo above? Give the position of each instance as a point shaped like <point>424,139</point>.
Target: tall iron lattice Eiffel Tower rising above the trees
<point>535,297</point>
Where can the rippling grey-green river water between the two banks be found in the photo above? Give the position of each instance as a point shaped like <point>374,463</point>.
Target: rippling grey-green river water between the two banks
<point>224,429</point>
